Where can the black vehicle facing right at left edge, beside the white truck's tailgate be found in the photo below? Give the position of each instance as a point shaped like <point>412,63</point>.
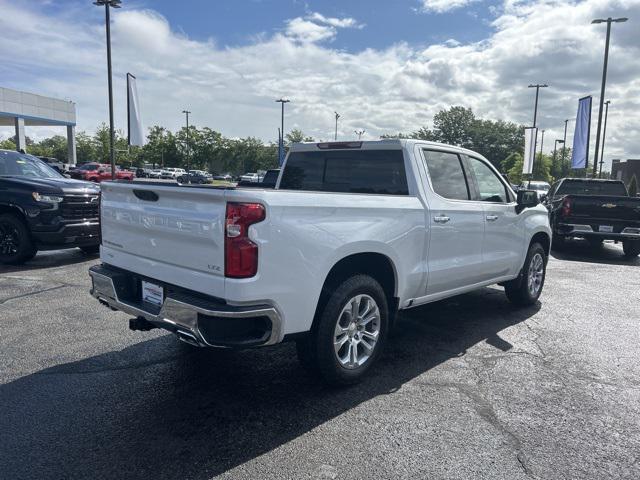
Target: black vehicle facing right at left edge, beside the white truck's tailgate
<point>42,210</point>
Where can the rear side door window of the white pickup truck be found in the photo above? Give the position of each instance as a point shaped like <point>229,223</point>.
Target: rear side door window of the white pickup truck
<point>447,176</point>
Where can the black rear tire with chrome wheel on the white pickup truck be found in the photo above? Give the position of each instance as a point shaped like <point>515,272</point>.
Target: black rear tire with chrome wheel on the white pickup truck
<point>317,351</point>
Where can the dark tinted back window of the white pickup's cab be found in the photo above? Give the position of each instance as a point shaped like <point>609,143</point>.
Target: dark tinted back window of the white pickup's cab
<point>346,171</point>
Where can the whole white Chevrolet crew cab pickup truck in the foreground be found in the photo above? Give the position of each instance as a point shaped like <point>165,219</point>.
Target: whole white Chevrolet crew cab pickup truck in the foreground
<point>352,233</point>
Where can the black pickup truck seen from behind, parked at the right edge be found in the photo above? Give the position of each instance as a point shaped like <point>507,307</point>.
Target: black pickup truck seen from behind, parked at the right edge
<point>595,210</point>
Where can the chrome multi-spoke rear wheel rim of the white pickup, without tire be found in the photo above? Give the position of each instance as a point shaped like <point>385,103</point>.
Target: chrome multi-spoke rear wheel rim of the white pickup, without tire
<point>357,331</point>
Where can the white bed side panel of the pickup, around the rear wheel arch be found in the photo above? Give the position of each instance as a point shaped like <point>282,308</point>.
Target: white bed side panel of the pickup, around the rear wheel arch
<point>306,233</point>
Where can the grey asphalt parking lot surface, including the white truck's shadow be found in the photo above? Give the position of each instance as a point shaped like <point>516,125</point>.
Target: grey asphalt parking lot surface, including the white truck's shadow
<point>469,387</point>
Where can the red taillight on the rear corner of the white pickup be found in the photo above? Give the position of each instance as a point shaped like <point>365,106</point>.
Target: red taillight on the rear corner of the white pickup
<point>241,254</point>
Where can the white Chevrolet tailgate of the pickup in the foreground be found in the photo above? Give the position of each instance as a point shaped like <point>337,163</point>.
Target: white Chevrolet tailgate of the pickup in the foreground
<point>165,226</point>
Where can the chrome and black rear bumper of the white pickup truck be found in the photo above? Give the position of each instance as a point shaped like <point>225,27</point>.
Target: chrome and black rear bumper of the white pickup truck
<point>189,317</point>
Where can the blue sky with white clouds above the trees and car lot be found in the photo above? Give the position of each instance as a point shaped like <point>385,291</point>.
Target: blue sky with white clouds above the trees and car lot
<point>385,66</point>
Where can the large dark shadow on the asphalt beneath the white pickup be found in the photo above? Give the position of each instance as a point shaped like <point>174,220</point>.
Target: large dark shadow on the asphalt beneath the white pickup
<point>160,409</point>
